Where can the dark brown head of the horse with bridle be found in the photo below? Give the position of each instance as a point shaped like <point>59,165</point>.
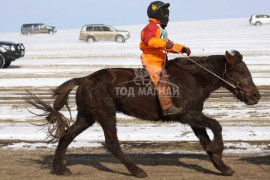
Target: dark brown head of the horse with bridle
<point>237,73</point>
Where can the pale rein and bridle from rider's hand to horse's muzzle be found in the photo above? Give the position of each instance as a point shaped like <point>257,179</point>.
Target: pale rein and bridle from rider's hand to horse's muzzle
<point>235,87</point>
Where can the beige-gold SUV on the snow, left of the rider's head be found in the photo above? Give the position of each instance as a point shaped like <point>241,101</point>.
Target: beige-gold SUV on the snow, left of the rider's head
<point>102,32</point>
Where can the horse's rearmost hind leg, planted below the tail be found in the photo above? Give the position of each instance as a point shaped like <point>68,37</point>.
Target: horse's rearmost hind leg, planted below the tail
<point>79,126</point>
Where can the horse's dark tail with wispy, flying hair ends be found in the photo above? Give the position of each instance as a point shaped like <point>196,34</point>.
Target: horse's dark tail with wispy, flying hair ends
<point>56,120</point>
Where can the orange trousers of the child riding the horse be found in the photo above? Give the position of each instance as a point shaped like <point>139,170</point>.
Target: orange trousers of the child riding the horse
<point>155,67</point>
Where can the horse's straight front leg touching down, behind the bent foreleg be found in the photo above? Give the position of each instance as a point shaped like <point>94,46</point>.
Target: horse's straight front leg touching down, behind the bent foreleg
<point>215,157</point>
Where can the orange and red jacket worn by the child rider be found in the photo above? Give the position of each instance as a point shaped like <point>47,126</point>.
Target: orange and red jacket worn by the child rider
<point>153,40</point>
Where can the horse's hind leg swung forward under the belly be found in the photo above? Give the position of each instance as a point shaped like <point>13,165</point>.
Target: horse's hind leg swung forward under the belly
<point>112,144</point>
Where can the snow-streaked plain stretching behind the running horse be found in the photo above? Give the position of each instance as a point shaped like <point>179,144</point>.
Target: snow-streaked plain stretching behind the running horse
<point>51,60</point>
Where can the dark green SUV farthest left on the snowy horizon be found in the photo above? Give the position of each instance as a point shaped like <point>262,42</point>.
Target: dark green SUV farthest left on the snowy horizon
<point>35,28</point>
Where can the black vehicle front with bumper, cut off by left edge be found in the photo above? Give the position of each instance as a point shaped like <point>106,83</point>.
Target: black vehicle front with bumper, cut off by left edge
<point>10,51</point>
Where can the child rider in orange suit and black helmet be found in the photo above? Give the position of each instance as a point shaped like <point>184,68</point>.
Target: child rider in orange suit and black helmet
<point>154,45</point>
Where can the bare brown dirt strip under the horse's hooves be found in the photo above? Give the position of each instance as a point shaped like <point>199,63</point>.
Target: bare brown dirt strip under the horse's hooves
<point>95,163</point>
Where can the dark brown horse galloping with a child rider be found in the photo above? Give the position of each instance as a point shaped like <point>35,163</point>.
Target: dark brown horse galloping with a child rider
<point>100,95</point>
